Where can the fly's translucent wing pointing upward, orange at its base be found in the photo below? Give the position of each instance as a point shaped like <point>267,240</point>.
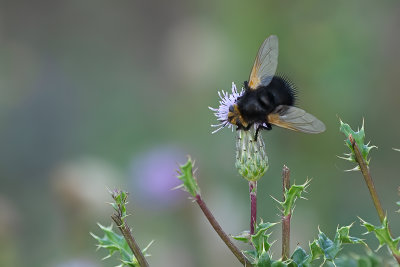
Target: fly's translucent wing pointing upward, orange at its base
<point>266,62</point>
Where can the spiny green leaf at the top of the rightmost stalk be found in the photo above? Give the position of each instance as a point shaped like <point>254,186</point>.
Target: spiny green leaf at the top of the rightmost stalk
<point>359,138</point>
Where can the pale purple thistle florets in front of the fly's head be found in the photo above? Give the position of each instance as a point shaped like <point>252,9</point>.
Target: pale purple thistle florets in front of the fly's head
<point>226,101</point>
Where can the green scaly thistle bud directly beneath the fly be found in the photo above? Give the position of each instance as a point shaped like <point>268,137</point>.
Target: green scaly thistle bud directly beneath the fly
<point>251,159</point>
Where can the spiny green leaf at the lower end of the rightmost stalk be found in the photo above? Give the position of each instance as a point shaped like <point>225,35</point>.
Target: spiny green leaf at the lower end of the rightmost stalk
<point>383,235</point>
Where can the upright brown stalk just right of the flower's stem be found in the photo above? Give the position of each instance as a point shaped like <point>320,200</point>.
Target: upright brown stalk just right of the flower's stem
<point>286,219</point>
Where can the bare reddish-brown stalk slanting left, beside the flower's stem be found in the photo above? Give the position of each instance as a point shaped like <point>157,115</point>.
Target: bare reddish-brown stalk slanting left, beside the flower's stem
<point>210,217</point>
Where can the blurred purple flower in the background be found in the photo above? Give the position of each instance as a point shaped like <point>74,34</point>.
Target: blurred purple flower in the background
<point>153,176</point>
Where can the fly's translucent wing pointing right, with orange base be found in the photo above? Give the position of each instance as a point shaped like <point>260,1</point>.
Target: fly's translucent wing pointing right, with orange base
<point>296,119</point>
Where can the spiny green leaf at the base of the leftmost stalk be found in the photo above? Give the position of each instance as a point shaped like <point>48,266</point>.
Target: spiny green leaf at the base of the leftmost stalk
<point>114,242</point>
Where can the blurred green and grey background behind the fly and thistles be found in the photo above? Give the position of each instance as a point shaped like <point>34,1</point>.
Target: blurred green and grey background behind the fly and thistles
<point>104,94</point>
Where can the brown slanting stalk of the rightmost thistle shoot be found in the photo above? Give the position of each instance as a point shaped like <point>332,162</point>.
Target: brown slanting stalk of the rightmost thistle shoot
<point>370,184</point>
